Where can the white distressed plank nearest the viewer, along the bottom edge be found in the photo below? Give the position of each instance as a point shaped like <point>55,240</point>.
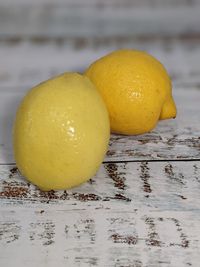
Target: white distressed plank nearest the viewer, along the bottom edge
<point>99,238</point>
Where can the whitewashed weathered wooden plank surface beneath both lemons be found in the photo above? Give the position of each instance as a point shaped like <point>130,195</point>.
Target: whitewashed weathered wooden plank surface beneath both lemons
<point>142,209</point>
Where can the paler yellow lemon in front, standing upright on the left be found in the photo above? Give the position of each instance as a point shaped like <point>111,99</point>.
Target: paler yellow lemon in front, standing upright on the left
<point>61,132</point>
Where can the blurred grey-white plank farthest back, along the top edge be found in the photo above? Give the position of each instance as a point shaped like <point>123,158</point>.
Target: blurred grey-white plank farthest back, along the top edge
<point>51,19</point>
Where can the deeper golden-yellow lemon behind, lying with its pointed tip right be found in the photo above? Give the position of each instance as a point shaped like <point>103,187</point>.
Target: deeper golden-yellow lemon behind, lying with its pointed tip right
<point>136,89</point>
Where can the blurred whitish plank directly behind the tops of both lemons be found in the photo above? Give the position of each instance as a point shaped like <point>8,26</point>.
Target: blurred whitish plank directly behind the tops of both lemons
<point>25,63</point>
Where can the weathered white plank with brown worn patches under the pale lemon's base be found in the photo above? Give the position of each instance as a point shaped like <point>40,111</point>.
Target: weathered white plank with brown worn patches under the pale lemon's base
<point>154,185</point>
